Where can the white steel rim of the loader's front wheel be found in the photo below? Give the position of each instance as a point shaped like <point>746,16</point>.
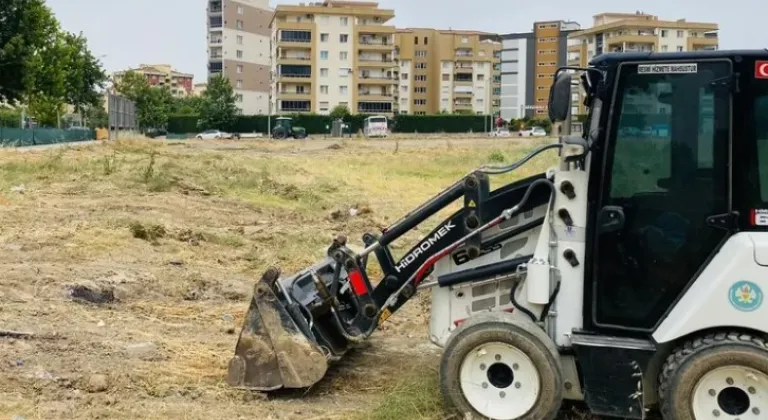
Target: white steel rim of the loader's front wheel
<point>499,381</point>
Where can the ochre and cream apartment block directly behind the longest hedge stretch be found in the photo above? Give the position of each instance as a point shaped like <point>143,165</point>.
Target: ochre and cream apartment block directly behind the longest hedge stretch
<point>447,71</point>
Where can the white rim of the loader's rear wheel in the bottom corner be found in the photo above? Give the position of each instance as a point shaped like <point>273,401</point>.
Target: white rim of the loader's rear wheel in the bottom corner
<point>731,392</point>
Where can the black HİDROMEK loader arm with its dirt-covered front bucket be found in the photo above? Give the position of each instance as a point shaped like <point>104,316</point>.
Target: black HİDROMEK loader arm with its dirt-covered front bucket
<point>296,325</point>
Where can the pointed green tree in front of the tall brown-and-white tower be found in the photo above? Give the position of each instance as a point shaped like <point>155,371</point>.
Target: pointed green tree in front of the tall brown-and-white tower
<point>218,108</point>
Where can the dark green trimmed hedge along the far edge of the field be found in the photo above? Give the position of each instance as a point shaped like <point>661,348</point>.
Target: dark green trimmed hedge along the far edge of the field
<point>321,124</point>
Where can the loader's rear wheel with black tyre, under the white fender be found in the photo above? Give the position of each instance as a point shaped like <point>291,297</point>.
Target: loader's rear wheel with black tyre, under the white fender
<point>721,375</point>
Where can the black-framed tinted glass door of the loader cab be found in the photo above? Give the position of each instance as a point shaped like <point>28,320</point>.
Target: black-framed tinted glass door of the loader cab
<point>665,191</point>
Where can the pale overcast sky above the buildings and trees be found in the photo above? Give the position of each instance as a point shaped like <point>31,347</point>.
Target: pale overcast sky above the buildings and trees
<point>126,33</point>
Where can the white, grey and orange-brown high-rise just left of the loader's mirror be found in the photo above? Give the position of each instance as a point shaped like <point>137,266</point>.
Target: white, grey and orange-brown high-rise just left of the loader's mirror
<point>528,63</point>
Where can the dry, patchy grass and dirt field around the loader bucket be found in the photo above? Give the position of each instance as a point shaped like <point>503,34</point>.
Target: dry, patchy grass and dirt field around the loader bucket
<point>169,238</point>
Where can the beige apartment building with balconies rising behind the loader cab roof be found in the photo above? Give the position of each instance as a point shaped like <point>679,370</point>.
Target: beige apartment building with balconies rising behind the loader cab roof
<point>636,32</point>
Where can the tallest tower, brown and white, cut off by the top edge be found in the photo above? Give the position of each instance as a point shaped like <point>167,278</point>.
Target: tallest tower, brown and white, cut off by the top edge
<point>239,48</point>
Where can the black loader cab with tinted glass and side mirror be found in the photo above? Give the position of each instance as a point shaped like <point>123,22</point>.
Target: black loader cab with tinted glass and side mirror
<point>675,168</point>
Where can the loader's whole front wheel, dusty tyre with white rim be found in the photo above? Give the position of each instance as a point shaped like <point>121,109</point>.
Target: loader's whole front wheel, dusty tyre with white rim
<point>476,353</point>
